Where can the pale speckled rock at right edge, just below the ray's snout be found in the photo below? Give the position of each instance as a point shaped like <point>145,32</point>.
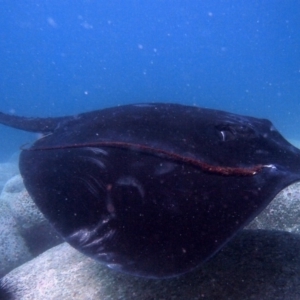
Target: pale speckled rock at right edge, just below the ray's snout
<point>283,213</point>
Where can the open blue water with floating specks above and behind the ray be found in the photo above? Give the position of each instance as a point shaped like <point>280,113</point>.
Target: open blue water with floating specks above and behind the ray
<point>64,57</point>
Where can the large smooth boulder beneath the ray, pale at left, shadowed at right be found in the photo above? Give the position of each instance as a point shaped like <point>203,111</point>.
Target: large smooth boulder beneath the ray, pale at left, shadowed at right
<point>255,265</point>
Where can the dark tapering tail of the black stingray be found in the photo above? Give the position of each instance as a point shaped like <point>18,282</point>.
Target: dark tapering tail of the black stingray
<point>33,124</point>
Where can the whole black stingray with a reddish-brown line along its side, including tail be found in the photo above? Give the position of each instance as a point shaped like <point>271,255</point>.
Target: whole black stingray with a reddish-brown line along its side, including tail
<point>154,189</point>
